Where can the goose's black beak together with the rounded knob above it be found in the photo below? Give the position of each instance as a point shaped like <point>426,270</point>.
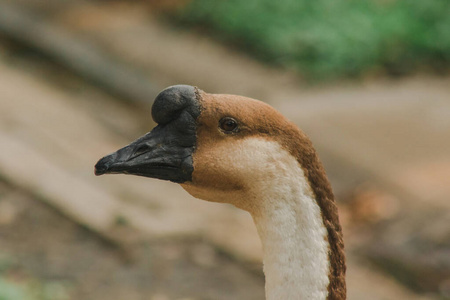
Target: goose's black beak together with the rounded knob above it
<point>165,152</point>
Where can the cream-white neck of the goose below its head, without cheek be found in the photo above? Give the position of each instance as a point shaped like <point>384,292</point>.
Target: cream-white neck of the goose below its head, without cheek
<point>294,238</point>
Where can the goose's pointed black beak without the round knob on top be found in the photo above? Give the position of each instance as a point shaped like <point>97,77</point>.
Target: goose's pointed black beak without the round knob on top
<point>163,153</point>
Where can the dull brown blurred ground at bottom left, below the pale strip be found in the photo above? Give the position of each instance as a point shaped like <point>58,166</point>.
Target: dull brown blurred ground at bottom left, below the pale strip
<point>73,263</point>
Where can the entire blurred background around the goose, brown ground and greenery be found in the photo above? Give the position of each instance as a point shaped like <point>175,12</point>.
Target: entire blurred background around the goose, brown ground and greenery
<point>367,80</point>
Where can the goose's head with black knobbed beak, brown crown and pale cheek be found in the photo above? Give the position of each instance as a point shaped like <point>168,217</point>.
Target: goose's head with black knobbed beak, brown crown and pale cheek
<point>220,148</point>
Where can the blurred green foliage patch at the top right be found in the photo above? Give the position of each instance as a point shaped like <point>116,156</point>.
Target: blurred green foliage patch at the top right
<point>332,38</point>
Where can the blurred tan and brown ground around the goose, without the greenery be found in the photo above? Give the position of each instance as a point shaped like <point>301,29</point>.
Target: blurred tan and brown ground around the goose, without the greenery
<point>384,144</point>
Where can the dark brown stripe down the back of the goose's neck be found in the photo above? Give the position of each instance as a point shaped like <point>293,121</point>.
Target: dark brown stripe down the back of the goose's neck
<point>306,155</point>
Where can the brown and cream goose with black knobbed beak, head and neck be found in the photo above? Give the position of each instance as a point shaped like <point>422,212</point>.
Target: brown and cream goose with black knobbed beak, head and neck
<point>233,149</point>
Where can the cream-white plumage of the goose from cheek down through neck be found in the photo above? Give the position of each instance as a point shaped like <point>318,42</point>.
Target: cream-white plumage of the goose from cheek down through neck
<point>288,218</point>
